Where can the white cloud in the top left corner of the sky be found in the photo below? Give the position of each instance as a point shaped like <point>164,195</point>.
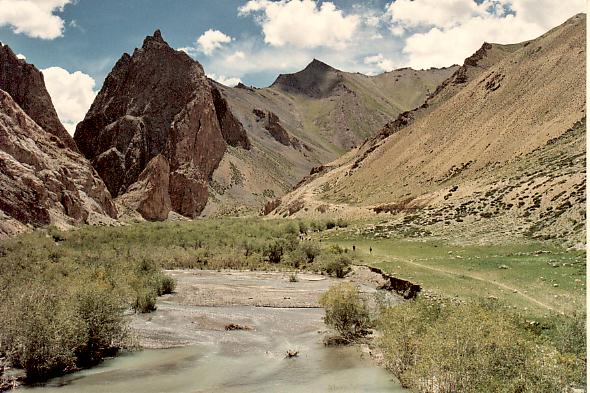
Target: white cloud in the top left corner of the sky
<point>35,18</point>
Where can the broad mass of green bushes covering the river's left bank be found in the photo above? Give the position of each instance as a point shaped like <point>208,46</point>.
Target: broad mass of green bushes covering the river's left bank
<point>63,296</point>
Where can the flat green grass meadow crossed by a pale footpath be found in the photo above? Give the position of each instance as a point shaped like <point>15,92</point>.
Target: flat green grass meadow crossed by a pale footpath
<point>482,271</point>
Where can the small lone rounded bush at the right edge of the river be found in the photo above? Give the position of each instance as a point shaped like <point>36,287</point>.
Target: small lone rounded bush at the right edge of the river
<point>346,312</point>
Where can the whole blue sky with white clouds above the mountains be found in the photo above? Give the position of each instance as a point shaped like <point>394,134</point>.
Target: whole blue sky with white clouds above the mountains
<point>76,42</point>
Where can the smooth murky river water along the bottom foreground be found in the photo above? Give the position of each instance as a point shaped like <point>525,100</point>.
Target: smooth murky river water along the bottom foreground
<point>198,369</point>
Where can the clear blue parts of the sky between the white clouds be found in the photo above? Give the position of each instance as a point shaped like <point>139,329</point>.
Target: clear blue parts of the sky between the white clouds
<point>97,33</point>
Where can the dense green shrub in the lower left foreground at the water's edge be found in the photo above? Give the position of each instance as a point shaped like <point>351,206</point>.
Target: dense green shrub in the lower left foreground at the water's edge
<point>48,331</point>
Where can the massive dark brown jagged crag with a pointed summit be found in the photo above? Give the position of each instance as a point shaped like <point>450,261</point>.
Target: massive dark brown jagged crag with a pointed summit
<point>159,101</point>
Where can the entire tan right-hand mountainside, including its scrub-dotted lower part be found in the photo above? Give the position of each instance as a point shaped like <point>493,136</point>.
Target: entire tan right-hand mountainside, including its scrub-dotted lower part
<point>505,127</point>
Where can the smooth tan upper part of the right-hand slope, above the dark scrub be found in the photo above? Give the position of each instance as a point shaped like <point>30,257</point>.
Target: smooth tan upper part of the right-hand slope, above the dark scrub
<point>528,98</point>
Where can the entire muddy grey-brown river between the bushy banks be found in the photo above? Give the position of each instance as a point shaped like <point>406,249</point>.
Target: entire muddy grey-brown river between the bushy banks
<point>207,358</point>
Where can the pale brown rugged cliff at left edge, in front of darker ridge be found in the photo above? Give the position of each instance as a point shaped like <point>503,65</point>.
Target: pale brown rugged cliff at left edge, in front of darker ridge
<point>44,182</point>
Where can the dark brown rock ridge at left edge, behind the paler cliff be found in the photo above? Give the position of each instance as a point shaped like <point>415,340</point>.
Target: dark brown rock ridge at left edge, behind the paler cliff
<point>25,84</point>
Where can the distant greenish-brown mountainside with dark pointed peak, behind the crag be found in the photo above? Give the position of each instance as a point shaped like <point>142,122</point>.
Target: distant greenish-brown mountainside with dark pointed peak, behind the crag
<point>304,120</point>
